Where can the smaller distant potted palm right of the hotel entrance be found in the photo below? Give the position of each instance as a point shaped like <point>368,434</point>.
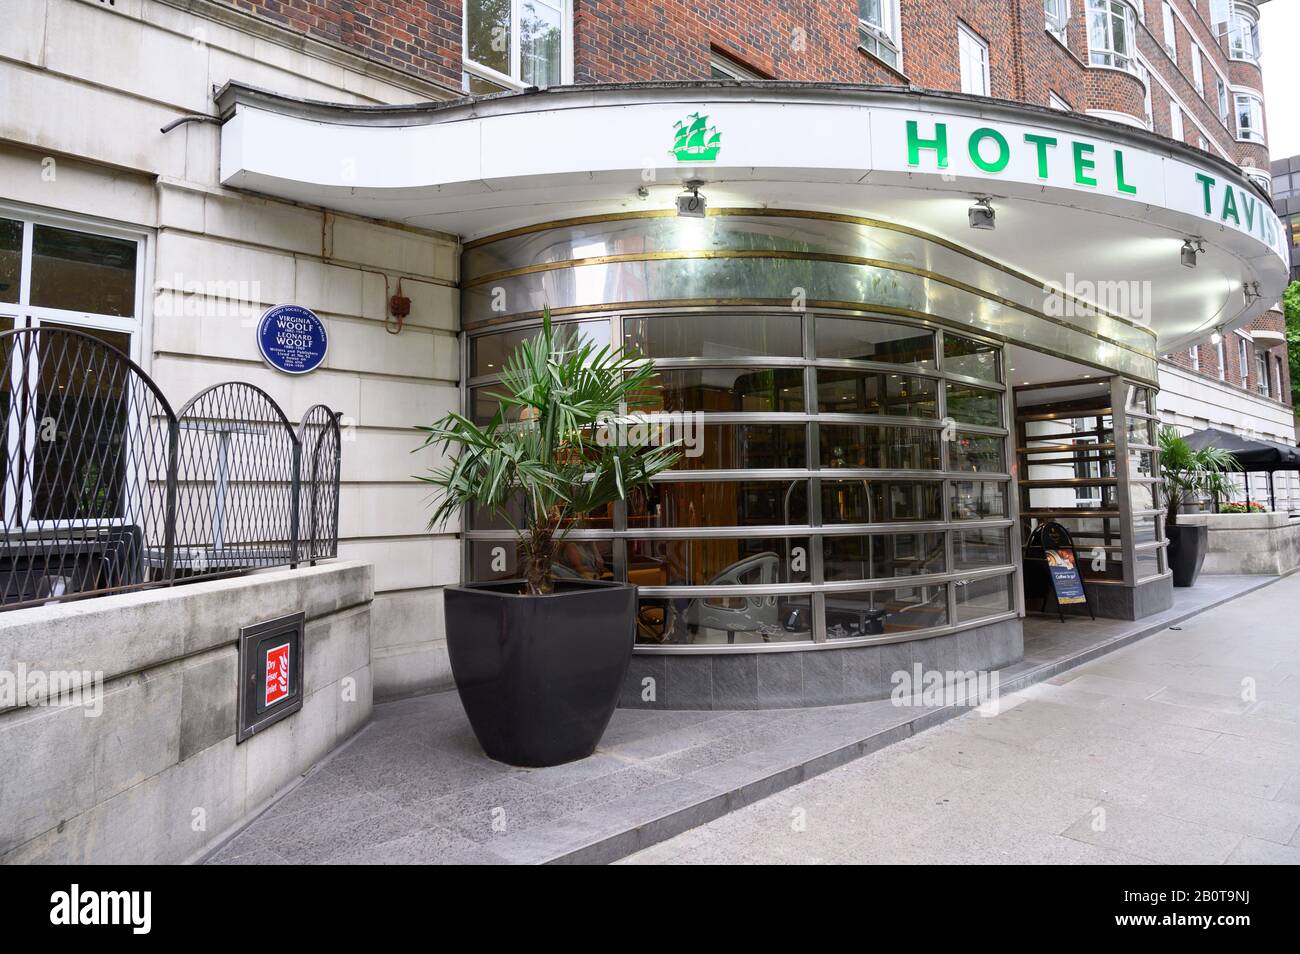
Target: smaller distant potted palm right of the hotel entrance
<point>1189,475</point>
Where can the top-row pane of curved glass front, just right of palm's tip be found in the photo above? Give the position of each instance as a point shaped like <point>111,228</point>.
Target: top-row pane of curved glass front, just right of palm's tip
<point>716,336</point>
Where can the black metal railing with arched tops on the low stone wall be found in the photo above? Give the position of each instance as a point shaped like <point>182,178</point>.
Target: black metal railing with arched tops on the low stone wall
<point>105,488</point>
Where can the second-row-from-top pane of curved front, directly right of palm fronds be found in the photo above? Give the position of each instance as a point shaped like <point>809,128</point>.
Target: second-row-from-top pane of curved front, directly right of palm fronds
<point>756,391</point>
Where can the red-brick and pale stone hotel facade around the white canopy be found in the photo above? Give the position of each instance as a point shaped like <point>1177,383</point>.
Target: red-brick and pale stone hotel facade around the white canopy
<point>88,145</point>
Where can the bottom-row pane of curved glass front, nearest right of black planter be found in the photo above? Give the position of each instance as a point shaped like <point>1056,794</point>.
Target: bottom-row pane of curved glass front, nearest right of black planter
<point>725,621</point>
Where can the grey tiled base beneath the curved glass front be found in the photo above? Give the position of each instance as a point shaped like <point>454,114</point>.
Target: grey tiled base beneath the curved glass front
<point>811,678</point>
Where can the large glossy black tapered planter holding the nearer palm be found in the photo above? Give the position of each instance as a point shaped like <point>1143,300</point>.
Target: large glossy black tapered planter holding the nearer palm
<point>540,677</point>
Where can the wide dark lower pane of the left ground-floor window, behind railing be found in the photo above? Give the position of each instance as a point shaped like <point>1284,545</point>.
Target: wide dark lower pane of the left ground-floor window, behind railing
<point>79,474</point>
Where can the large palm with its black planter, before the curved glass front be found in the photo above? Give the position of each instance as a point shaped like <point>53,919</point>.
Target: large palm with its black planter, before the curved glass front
<point>540,661</point>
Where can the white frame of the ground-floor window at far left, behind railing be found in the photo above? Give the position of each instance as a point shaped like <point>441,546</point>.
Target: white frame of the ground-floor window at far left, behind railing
<point>18,502</point>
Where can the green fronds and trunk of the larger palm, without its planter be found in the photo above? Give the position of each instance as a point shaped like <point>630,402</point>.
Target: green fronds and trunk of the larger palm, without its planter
<point>549,446</point>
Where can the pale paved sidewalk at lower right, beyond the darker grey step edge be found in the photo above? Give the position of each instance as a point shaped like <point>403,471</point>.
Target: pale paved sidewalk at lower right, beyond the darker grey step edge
<point>1156,753</point>
